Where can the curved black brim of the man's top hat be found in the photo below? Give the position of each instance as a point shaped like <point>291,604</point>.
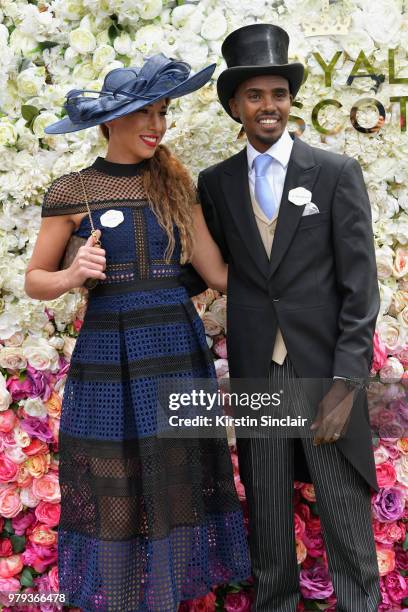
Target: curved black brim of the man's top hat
<point>231,78</point>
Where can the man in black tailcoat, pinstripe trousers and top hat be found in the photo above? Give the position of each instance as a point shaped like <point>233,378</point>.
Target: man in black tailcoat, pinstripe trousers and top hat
<point>302,302</point>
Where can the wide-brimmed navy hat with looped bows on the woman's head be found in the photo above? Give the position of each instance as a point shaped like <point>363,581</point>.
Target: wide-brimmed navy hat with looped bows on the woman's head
<point>126,90</point>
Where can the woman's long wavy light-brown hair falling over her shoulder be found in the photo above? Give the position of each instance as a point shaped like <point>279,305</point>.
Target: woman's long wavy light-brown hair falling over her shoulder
<point>171,194</point>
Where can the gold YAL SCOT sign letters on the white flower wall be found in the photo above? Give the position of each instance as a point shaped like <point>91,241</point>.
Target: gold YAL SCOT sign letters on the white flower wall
<point>363,68</point>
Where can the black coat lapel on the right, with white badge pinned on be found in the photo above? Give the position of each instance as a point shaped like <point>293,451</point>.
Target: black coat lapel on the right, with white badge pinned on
<point>302,172</point>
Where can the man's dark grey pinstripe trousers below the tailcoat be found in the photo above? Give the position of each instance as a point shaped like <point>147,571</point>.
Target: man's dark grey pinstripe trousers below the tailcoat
<point>343,500</point>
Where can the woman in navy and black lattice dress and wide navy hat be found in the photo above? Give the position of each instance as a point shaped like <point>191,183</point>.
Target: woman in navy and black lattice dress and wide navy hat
<point>146,521</point>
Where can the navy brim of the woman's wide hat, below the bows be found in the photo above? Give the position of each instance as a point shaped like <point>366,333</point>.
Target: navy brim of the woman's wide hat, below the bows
<point>196,81</point>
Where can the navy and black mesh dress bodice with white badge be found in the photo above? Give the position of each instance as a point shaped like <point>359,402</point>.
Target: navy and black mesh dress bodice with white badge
<point>131,235</point>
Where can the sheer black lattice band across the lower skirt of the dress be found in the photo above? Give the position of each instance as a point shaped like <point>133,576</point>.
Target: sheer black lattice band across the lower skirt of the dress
<point>142,487</point>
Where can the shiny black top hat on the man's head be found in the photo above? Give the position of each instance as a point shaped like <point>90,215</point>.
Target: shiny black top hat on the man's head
<point>254,50</point>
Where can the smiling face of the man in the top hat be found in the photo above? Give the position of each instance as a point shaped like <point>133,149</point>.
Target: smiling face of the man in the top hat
<point>262,103</point>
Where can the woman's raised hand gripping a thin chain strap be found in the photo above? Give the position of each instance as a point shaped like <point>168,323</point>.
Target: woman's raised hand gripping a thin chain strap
<point>89,262</point>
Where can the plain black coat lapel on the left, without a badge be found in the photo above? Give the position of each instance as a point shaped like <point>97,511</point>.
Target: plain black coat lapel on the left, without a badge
<point>235,186</point>
